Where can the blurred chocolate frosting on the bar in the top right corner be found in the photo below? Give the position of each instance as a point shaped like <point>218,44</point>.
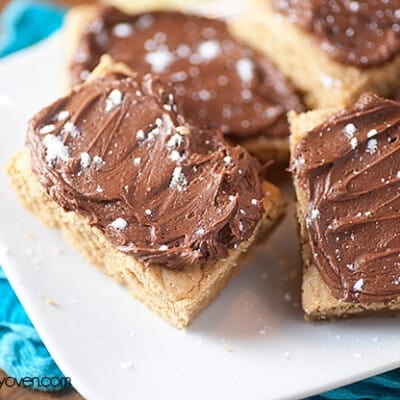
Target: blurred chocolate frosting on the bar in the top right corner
<point>364,33</point>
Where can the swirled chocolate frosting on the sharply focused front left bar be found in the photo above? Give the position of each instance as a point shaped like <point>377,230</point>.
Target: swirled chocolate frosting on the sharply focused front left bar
<point>116,151</point>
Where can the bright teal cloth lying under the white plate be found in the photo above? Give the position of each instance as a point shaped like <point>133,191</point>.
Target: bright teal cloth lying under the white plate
<point>22,353</point>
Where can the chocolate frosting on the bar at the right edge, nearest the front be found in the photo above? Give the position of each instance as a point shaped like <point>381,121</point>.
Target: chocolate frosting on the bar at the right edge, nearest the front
<point>350,171</point>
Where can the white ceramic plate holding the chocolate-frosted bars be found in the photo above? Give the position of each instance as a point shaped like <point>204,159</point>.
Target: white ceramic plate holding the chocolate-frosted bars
<point>251,342</point>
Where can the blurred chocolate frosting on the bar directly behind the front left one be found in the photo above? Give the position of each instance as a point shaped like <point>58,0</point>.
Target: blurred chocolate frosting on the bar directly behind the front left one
<point>219,82</point>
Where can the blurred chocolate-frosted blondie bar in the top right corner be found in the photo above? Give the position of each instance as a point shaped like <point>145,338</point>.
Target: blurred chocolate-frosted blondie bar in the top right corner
<point>331,50</point>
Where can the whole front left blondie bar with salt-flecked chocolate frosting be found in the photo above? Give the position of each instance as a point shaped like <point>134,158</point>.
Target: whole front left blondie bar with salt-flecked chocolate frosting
<point>166,208</point>
